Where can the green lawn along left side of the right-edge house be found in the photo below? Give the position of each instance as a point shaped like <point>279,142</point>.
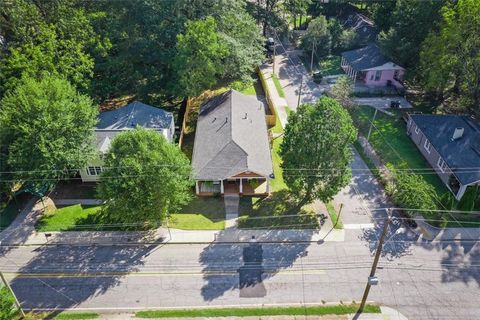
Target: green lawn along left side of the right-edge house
<point>390,141</point>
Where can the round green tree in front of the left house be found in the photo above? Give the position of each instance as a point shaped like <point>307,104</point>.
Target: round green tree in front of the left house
<point>146,178</point>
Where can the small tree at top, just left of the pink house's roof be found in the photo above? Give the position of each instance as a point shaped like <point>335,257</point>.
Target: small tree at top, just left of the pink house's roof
<point>317,36</point>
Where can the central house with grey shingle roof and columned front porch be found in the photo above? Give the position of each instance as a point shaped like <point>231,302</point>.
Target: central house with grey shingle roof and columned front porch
<point>231,153</point>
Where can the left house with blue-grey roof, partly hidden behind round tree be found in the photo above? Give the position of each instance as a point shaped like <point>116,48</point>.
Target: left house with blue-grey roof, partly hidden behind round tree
<point>111,123</point>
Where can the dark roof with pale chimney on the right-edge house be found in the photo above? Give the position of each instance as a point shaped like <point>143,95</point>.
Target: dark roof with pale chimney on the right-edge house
<point>461,155</point>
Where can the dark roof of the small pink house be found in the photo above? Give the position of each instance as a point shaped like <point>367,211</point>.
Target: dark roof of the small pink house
<point>367,57</point>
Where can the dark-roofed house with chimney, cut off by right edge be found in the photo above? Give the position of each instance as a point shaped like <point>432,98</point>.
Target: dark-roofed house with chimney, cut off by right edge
<point>451,145</point>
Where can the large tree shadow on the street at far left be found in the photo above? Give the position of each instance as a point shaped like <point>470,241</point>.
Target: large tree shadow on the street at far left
<point>56,291</point>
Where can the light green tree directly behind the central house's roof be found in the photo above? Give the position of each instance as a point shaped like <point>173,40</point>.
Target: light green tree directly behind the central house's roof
<point>200,55</point>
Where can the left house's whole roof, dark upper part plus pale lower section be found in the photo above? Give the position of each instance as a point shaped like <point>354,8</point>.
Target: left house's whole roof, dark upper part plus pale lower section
<point>111,123</point>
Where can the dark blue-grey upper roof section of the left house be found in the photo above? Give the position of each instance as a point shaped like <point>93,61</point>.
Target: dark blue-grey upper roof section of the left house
<point>135,114</point>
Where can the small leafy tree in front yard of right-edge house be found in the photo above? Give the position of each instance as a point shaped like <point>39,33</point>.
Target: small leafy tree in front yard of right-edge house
<point>410,190</point>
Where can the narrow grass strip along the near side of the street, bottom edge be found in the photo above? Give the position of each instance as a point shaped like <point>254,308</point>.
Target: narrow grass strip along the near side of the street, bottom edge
<point>265,311</point>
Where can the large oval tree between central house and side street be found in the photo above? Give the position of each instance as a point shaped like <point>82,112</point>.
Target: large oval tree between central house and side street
<point>316,150</point>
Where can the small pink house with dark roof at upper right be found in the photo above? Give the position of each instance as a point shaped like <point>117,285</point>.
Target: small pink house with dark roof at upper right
<point>370,67</point>
